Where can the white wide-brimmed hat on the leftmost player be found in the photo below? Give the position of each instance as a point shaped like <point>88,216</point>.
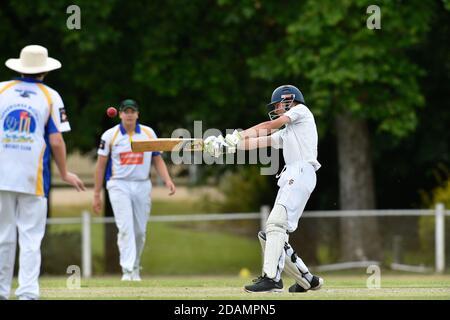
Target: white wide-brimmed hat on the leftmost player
<point>33,59</point>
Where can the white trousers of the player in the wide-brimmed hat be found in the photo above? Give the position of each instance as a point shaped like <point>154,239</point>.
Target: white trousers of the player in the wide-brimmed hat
<point>25,214</point>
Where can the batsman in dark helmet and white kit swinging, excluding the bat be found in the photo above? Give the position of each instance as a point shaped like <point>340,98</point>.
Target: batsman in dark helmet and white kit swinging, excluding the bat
<point>297,181</point>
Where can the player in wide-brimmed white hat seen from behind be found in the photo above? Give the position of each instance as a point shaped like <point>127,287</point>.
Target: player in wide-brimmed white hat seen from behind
<point>32,118</point>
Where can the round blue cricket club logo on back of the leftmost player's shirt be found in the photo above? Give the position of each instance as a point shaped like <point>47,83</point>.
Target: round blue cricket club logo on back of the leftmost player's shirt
<point>19,126</point>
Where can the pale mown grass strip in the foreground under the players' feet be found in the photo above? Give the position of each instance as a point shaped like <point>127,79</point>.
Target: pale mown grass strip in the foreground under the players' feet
<point>336,287</point>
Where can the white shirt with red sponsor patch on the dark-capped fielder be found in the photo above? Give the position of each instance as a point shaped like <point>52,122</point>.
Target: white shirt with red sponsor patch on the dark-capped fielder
<point>123,163</point>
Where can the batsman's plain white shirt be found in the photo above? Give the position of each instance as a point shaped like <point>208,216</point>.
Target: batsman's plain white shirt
<point>299,138</point>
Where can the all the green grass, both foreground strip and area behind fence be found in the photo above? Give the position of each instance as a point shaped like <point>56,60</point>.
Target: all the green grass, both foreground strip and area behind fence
<point>180,262</point>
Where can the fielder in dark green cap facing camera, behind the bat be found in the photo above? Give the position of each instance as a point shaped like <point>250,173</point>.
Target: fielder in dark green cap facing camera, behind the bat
<point>129,185</point>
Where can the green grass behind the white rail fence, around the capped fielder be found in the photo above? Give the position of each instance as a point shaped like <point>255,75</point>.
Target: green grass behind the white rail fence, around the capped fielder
<point>203,248</point>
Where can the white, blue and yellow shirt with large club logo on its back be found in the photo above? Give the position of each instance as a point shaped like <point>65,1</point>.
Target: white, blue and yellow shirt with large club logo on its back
<point>29,112</point>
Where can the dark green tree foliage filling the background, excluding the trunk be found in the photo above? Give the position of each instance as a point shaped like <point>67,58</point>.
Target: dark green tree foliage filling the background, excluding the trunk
<point>219,60</point>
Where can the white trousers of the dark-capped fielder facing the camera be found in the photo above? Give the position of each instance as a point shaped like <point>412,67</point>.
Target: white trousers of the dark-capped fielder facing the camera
<point>130,201</point>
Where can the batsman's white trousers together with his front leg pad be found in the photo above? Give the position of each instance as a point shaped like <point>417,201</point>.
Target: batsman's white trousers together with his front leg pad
<point>296,182</point>
